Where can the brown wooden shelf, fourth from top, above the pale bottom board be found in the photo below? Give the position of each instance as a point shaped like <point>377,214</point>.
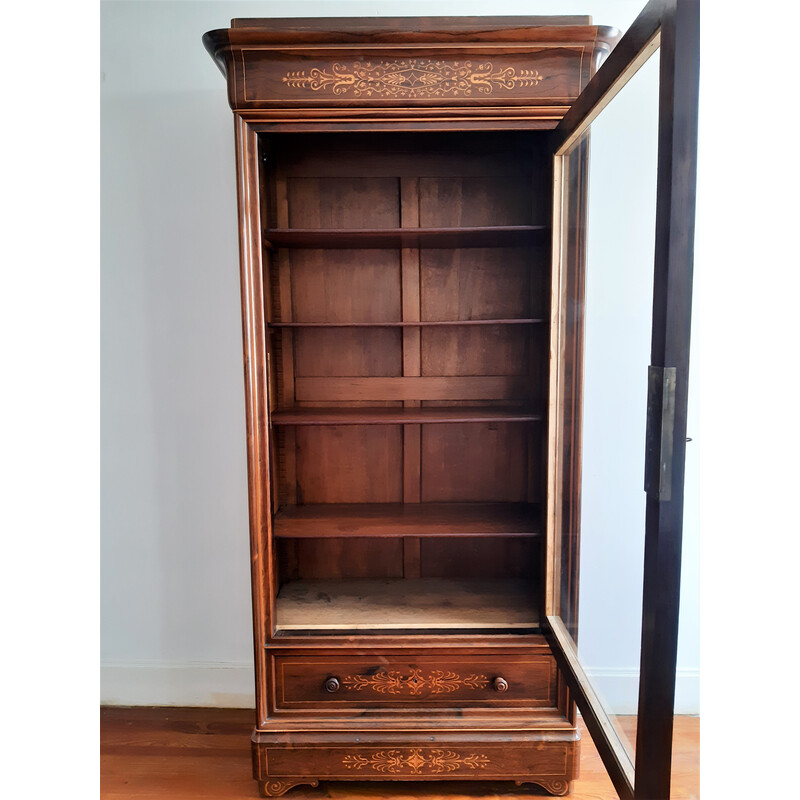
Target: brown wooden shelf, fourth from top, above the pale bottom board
<point>407,519</point>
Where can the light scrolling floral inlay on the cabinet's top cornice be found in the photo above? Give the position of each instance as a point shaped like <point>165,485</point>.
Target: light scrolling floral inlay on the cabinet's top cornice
<point>412,78</point>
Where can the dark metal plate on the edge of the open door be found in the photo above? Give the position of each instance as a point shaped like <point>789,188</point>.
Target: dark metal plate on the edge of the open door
<point>659,432</point>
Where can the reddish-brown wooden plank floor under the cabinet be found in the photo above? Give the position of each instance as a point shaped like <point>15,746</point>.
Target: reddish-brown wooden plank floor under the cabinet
<point>204,754</point>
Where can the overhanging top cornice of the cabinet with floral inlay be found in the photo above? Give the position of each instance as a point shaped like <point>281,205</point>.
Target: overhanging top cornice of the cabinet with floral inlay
<point>492,61</point>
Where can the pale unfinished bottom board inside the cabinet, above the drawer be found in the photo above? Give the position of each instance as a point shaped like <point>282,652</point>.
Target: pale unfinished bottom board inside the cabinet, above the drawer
<point>422,604</point>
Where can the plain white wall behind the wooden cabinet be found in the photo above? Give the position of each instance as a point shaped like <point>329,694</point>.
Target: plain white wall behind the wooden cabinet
<point>175,581</point>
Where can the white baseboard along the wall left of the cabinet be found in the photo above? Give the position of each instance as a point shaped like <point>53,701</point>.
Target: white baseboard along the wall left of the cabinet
<point>147,683</point>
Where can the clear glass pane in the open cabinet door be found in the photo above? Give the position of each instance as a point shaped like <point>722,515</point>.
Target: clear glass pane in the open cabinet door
<point>617,333</point>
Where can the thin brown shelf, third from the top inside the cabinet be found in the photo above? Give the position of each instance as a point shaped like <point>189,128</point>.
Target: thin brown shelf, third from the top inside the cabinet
<point>401,416</point>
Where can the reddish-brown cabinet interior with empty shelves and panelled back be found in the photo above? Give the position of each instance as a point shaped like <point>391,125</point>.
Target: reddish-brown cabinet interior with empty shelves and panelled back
<point>407,279</point>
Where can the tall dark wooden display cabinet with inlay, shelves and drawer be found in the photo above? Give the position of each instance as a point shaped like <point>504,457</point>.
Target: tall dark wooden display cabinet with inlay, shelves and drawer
<point>412,348</point>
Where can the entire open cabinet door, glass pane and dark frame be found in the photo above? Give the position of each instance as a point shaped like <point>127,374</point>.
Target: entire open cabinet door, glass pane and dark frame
<point>620,342</point>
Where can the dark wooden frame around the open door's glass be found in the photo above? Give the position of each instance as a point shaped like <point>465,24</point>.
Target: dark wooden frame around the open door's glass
<point>674,26</point>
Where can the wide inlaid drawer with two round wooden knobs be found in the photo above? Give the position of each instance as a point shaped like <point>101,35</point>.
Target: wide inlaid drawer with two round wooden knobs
<point>313,682</point>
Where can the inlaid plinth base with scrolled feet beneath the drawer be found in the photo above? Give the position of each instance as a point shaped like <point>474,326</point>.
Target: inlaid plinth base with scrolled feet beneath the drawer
<point>548,758</point>
